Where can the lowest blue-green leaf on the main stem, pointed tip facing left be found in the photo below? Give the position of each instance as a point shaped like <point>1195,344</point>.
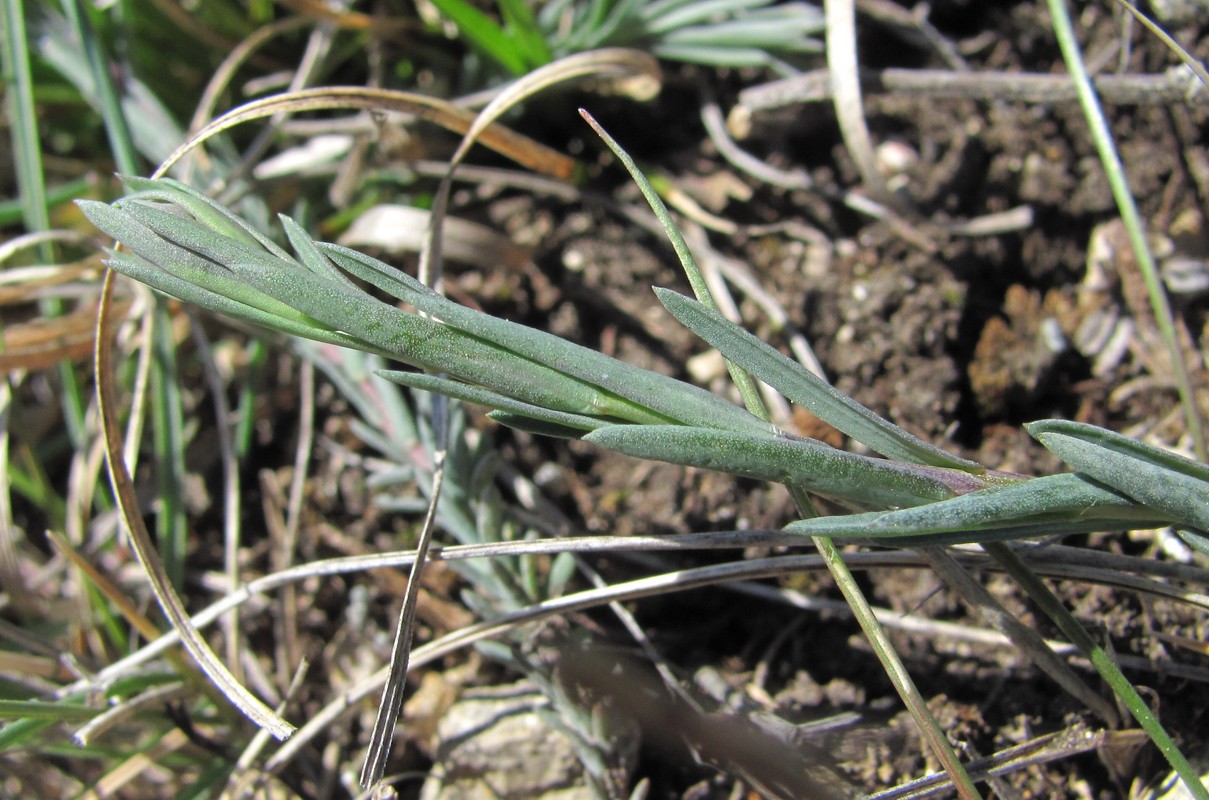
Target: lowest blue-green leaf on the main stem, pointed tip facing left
<point>1051,506</point>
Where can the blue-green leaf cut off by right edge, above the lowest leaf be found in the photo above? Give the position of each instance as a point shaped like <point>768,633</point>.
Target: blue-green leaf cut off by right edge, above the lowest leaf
<point>1170,484</point>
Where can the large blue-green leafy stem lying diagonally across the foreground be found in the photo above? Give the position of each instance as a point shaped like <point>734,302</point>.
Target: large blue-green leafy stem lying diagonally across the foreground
<point>187,246</point>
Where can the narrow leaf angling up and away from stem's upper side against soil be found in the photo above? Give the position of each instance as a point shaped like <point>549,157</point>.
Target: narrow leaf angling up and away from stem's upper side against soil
<point>806,389</point>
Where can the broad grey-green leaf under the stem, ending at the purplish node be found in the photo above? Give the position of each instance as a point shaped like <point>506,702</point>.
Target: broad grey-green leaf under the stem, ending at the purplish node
<point>800,462</point>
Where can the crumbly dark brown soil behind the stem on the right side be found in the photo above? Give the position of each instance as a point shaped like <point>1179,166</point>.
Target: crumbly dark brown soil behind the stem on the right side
<point>957,339</point>
